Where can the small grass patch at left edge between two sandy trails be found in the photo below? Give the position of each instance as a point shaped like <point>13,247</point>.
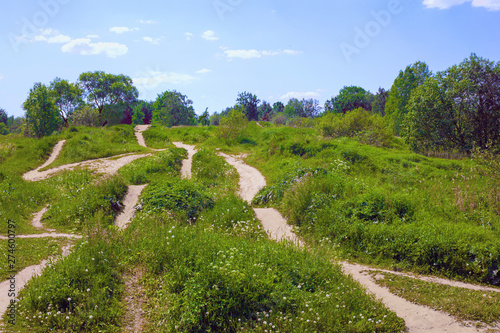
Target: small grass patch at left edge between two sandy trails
<point>28,251</point>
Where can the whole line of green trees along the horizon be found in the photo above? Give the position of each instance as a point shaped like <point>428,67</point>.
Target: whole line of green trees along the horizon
<point>456,109</point>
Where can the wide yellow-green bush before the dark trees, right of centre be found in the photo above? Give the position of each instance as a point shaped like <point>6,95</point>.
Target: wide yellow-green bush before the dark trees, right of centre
<point>367,128</point>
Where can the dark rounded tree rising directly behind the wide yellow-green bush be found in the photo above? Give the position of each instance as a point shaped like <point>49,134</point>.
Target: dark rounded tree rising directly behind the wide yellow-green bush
<point>350,98</point>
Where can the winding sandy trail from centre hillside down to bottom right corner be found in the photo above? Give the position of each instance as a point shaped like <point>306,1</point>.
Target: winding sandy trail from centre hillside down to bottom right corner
<point>418,318</point>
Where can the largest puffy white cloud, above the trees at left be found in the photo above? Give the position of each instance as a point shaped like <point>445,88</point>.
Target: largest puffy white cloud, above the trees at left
<point>84,46</point>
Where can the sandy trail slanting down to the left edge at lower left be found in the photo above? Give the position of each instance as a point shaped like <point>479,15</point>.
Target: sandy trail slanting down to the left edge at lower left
<point>22,277</point>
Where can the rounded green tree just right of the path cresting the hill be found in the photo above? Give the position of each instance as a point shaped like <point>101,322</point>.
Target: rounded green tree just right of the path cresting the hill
<point>173,109</point>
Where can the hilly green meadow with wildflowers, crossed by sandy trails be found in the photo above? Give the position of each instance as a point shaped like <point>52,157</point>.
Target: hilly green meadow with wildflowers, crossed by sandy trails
<point>208,265</point>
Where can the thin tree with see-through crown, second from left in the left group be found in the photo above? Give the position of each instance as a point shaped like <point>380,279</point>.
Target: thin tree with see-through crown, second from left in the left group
<point>67,97</point>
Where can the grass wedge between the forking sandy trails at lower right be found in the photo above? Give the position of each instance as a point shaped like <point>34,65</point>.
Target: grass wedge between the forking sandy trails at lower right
<point>465,304</point>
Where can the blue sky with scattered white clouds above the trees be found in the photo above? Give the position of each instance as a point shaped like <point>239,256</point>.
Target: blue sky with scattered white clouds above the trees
<point>210,50</point>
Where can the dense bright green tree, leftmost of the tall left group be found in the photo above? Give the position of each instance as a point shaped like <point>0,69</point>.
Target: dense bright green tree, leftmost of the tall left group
<point>42,115</point>
